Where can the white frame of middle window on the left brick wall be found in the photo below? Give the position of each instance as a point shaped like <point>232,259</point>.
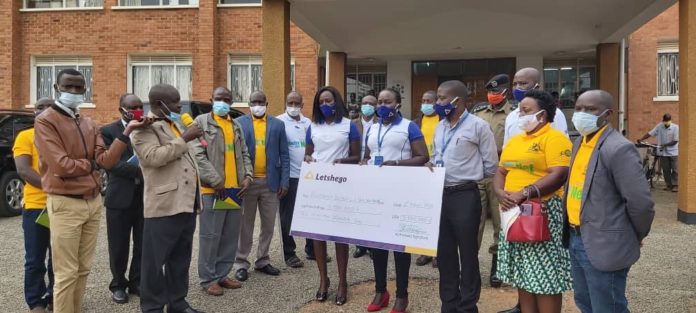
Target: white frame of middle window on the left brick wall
<point>159,60</point>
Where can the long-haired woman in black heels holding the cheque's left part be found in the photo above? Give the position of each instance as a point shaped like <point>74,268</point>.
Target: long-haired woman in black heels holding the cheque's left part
<point>331,138</point>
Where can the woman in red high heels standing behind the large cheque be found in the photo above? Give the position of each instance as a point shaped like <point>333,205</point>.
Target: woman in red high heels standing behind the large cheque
<point>393,141</point>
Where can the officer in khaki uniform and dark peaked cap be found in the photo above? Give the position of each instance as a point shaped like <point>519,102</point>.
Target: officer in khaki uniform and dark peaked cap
<point>494,112</point>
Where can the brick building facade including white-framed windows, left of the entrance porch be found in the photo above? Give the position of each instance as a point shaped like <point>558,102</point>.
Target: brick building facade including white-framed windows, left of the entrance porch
<point>112,38</point>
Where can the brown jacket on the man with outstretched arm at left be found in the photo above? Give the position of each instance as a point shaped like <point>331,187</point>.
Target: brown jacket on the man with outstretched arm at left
<point>68,146</point>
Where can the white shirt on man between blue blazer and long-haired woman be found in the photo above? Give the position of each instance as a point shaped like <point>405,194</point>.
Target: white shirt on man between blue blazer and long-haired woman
<point>296,132</point>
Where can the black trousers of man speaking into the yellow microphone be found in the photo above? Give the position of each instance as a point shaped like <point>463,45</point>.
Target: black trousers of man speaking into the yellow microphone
<point>167,244</point>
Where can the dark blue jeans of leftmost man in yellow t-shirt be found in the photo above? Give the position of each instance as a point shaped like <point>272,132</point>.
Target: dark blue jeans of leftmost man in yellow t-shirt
<point>37,243</point>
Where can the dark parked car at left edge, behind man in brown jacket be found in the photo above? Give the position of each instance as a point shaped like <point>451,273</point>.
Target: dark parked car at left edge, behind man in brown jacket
<point>11,185</point>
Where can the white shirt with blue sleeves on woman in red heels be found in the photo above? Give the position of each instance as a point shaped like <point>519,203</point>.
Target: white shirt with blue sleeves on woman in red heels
<point>396,140</point>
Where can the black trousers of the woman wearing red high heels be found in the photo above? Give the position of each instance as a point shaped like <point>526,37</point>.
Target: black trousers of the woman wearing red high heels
<point>402,262</point>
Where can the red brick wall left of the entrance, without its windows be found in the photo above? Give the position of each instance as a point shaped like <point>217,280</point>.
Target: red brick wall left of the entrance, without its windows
<point>209,34</point>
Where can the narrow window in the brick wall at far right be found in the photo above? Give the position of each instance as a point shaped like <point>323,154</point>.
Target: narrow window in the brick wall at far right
<point>667,71</point>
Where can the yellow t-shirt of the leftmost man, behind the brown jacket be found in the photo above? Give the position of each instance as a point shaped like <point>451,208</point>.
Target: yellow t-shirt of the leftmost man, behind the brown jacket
<point>34,198</point>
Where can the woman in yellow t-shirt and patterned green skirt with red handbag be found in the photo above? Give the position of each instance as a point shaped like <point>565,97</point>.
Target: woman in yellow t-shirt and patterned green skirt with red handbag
<point>534,165</point>
